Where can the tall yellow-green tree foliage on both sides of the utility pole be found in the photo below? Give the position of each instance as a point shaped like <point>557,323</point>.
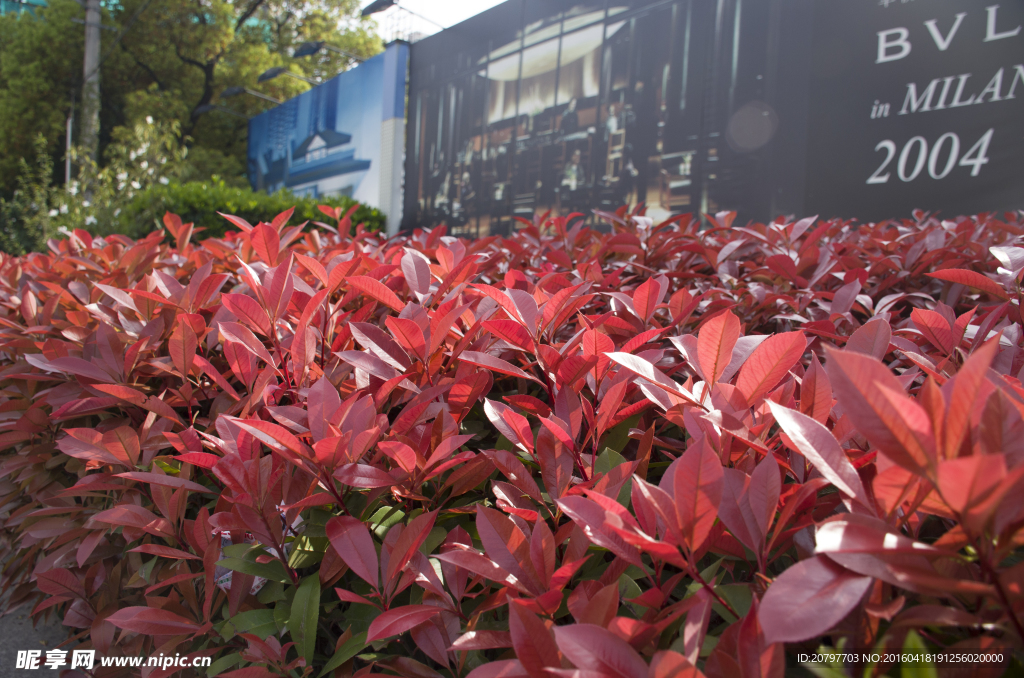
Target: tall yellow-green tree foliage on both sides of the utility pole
<point>168,60</point>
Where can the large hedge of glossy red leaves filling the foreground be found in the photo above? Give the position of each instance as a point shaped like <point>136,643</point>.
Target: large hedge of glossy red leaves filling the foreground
<point>655,452</point>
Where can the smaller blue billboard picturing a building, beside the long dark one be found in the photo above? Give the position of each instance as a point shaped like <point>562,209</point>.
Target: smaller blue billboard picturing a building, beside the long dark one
<point>345,137</point>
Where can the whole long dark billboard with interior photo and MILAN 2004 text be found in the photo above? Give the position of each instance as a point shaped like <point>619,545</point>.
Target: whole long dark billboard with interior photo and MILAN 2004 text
<point>766,108</point>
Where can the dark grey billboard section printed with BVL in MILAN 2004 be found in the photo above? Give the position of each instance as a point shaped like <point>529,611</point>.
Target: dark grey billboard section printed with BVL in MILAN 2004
<point>924,102</point>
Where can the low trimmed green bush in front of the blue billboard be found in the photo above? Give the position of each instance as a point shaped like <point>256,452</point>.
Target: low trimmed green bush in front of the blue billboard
<point>200,202</point>
